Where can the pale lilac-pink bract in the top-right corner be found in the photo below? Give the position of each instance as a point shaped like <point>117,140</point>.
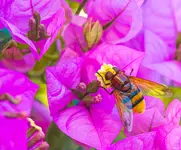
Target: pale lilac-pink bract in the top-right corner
<point>160,21</point>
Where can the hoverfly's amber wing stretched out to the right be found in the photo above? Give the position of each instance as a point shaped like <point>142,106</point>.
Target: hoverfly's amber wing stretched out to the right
<point>150,88</point>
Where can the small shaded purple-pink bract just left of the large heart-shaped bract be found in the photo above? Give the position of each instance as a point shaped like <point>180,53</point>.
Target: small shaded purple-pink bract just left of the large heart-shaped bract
<point>41,115</point>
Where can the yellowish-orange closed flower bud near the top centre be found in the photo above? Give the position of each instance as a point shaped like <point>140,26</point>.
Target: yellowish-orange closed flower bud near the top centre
<point>92,32</point>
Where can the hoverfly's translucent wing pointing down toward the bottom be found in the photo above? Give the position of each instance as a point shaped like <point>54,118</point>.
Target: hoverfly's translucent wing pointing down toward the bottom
<point>126,114</point>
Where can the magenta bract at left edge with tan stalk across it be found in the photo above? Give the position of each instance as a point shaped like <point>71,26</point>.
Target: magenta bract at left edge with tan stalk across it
<point>16,92</point>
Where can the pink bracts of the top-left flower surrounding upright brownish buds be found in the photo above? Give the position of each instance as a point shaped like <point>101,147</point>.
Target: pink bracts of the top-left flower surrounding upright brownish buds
<point>18,15</point>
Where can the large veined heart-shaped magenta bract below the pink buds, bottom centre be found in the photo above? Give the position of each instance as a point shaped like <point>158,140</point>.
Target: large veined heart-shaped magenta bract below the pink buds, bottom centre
<point>96,130</point>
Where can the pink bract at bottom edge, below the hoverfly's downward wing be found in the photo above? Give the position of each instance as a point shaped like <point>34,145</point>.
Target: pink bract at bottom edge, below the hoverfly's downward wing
<point>139,142</point>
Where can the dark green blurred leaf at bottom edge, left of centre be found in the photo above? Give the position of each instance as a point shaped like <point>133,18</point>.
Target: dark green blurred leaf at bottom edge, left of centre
<point>58,140</point>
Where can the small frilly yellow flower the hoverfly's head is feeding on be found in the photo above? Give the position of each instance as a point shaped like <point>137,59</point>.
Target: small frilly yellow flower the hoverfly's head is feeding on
<point>102,72</point>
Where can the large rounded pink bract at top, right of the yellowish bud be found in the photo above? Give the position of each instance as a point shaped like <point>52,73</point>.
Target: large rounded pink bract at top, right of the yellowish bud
<point>127,14</point>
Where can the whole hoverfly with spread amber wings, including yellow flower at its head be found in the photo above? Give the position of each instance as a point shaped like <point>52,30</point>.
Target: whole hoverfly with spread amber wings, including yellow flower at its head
<point>129,91</point>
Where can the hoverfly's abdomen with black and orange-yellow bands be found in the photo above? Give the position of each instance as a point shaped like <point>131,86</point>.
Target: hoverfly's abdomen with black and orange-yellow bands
<point>136,98</point>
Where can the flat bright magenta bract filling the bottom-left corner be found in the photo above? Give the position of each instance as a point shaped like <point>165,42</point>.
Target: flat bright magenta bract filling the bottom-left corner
<point>13,134</point>
